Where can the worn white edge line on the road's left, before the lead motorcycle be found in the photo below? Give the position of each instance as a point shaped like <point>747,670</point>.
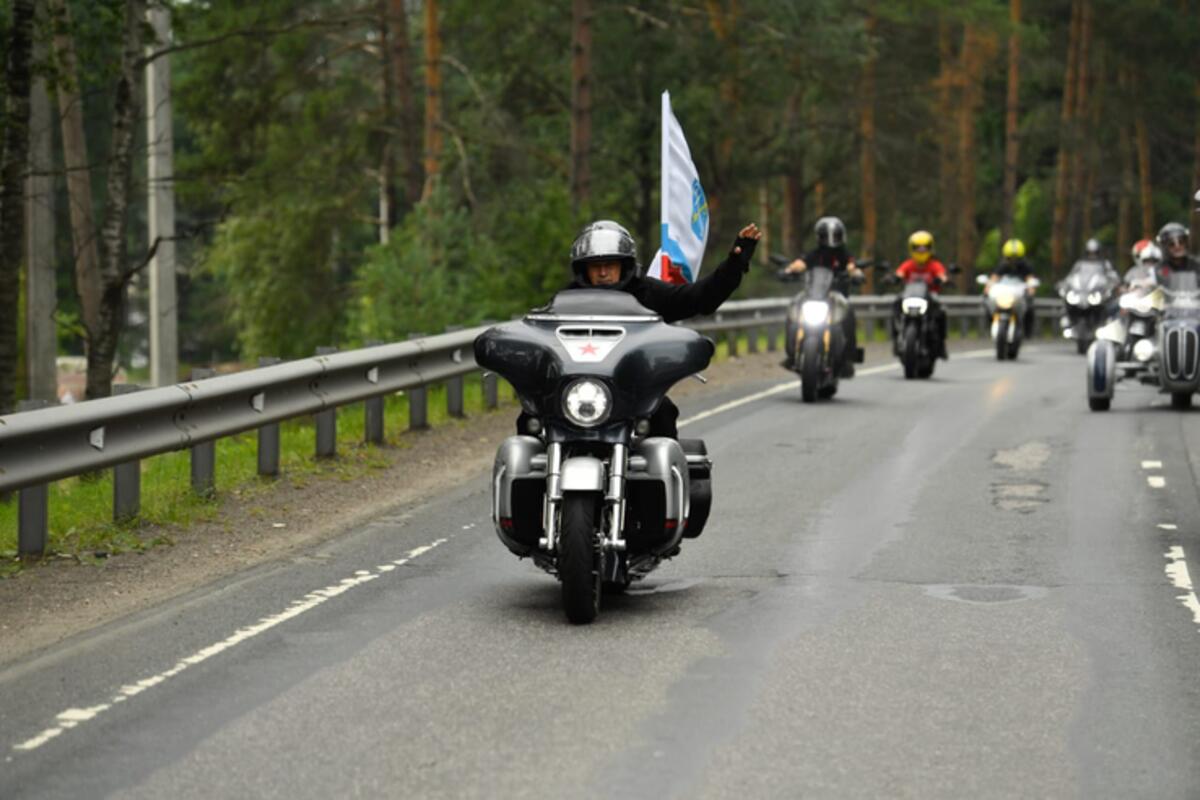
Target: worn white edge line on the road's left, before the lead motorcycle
<point>74,718</point>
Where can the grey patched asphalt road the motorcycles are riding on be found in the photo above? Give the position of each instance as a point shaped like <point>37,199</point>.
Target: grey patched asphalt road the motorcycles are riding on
<point>964,587</point>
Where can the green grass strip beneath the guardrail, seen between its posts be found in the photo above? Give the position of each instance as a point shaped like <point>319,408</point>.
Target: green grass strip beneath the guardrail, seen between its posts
<point>81,509</point>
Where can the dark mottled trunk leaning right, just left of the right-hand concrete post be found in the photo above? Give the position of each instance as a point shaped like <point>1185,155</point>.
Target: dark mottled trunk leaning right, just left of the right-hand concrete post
<point>113,269</point>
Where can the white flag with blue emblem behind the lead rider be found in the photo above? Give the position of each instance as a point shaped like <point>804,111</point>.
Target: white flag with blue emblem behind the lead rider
<point>685,214</point>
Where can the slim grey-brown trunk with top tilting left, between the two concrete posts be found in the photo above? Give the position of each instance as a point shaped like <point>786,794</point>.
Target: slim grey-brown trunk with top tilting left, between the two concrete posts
<point>79,170</point>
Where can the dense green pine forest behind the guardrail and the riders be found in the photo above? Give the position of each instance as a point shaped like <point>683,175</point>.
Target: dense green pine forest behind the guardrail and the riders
<point>367,170</point>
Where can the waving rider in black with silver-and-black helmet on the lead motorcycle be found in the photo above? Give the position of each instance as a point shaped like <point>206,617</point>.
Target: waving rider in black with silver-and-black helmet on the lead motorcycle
<point>605,257</point>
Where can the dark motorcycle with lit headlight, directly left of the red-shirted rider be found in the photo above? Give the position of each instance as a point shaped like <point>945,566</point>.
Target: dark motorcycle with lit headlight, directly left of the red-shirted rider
<point>815,341</point>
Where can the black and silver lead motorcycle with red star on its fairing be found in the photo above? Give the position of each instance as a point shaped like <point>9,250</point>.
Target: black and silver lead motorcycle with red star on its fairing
<point>591,498</point>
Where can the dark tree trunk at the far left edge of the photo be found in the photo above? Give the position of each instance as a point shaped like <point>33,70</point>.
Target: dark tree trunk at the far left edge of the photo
<point>14,167</point>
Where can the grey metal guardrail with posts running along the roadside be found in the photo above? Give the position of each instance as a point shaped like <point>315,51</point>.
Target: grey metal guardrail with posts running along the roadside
<point>44,446</point>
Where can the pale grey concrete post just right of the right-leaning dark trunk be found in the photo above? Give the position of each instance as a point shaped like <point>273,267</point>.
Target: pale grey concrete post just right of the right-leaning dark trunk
<point>161,212</point>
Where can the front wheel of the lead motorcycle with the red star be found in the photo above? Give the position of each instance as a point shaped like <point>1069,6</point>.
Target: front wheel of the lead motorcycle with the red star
<point>579,557</point>
